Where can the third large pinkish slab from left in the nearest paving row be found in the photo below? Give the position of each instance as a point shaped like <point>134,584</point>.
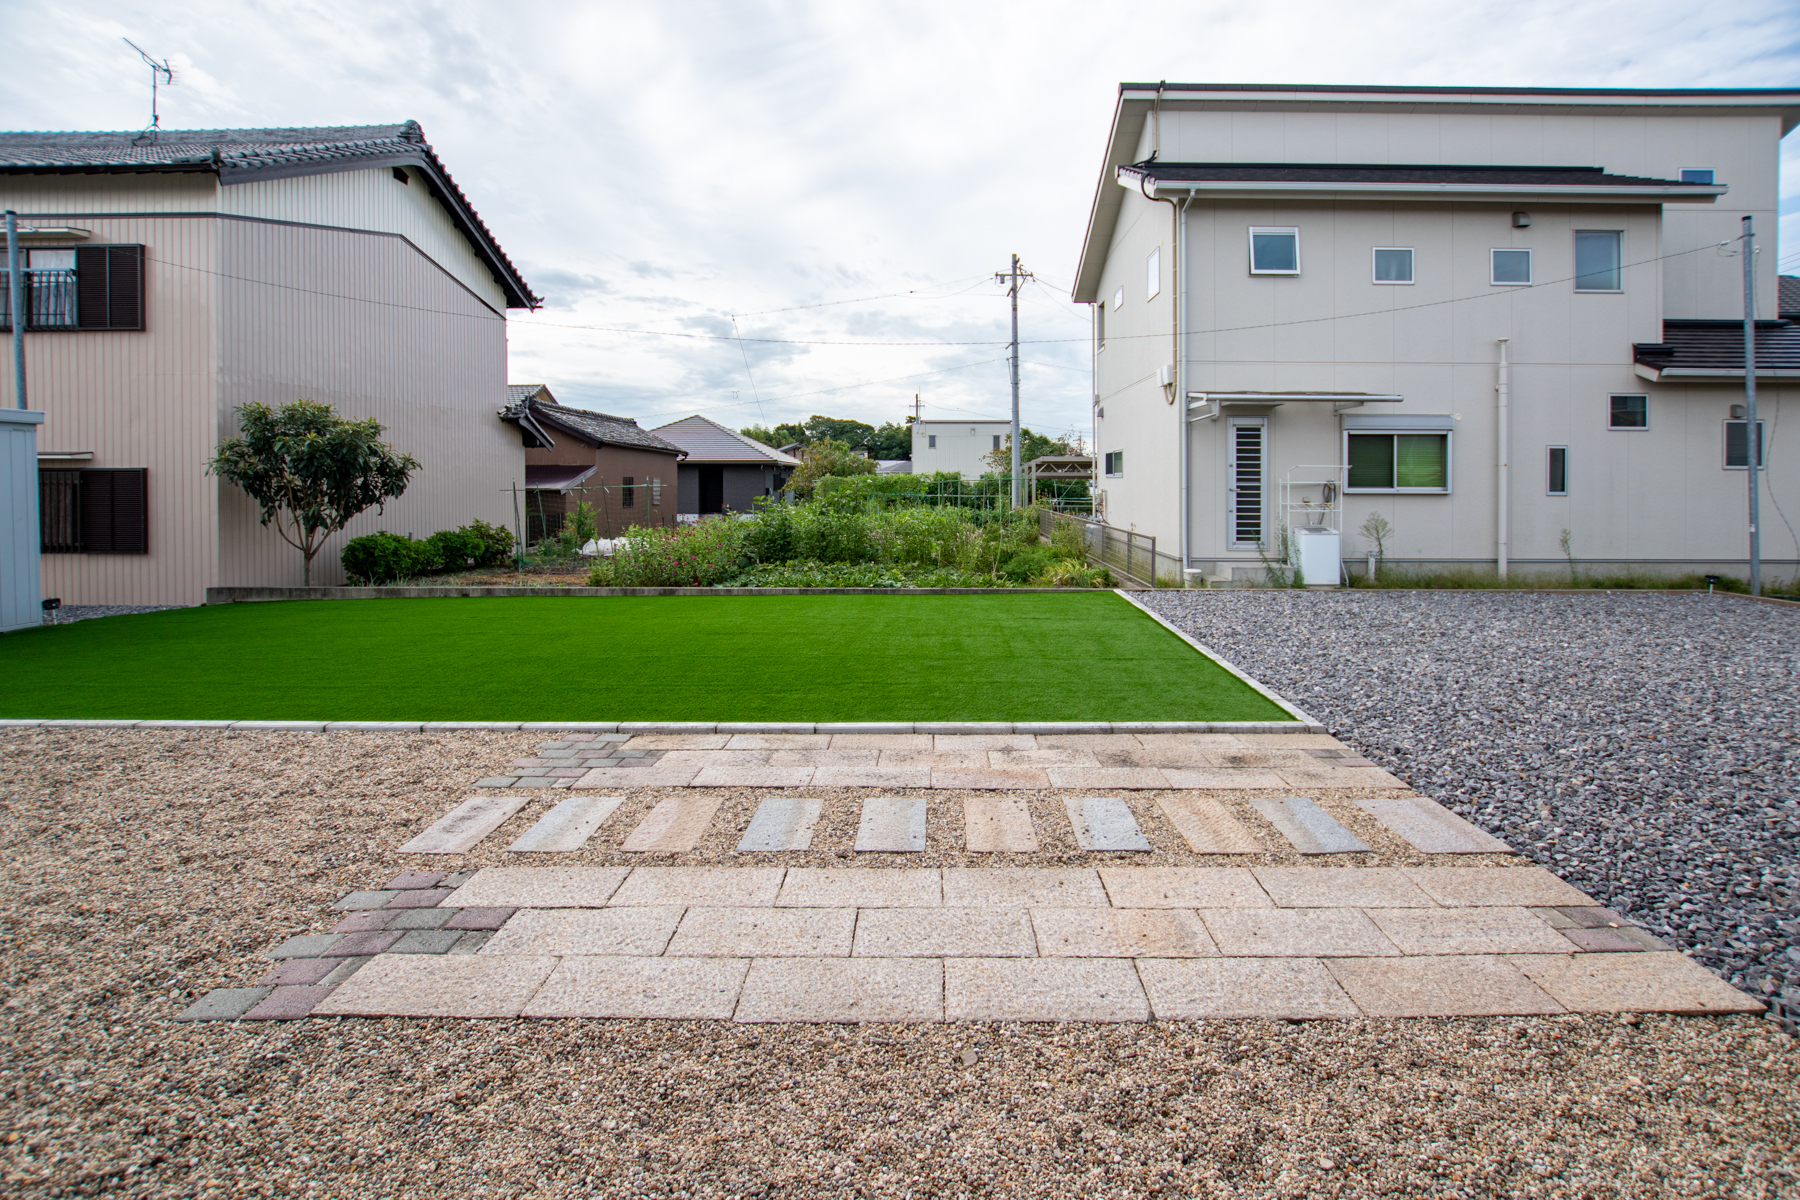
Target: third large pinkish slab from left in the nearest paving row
<point>843,990</point>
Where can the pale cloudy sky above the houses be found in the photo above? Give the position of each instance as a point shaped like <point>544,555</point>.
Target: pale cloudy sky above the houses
<point>834,184</point>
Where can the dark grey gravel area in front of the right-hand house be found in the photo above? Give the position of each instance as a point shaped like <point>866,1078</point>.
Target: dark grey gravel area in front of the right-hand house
<point>1644,748</point>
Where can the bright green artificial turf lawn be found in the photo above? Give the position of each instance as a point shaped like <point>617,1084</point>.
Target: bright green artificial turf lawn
<point>1002,658</point>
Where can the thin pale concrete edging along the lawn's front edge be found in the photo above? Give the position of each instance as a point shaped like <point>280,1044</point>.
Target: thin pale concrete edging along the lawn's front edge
<point>1304,726</point>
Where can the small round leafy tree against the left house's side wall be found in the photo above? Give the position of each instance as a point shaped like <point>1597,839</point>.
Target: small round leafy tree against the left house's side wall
<point>310,470</point>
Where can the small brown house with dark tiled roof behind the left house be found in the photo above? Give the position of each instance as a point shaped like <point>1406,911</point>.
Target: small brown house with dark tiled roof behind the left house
<point>625,474</point>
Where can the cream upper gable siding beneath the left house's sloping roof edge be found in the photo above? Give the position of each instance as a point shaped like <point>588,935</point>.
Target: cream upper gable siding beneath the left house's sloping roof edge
<point>372,201</point>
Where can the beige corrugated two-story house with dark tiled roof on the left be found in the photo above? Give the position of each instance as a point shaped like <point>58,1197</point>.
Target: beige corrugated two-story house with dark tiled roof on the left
<point>175,276</point>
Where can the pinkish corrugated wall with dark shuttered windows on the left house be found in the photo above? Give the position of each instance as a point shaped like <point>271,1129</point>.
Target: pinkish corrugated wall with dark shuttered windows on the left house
<point>139,400</point>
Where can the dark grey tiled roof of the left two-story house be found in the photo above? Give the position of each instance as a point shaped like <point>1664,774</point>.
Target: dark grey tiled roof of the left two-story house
<point>246,156</point>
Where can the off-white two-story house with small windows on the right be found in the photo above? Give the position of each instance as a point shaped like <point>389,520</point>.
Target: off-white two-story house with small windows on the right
<point>1489,316</point>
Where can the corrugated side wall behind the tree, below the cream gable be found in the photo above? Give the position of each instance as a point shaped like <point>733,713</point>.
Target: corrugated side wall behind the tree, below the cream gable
<point>370,327</point>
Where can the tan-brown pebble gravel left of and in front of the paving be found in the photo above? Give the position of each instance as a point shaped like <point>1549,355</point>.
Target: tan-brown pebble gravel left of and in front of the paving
<point>145,868</point>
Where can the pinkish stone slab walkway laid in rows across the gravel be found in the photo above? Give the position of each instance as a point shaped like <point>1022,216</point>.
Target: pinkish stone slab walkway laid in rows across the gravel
<point>885,944</point>
